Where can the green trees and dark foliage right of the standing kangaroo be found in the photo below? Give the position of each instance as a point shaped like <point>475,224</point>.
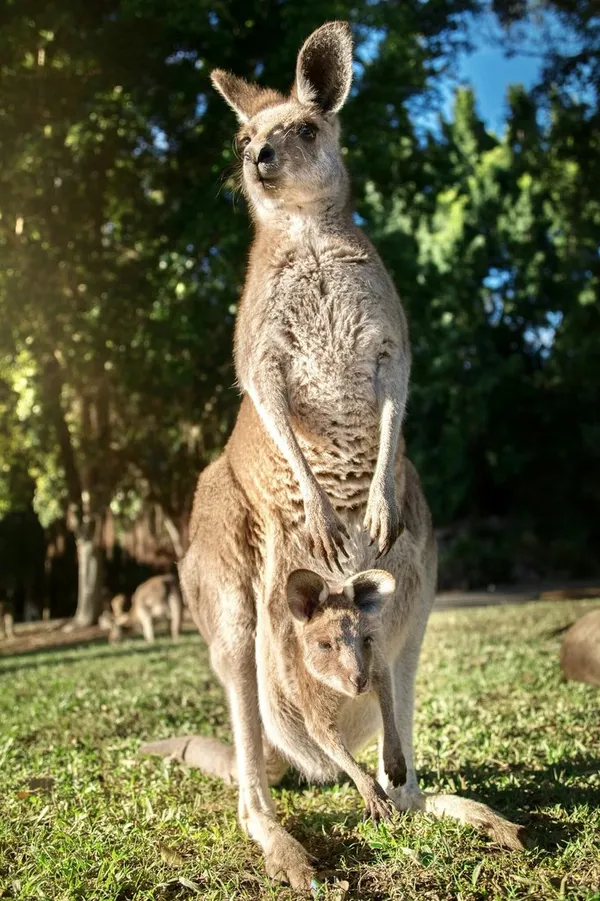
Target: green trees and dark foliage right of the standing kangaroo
<point>500,278</point>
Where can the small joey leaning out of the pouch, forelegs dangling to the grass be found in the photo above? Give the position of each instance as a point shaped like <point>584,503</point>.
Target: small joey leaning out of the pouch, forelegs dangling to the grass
<point>338,656</point>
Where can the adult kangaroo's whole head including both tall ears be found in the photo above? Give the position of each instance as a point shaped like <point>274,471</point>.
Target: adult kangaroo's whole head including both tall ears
<point>289,145</point>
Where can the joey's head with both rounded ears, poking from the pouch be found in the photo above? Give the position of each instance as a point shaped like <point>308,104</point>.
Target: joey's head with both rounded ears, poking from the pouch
<point>338,632</point>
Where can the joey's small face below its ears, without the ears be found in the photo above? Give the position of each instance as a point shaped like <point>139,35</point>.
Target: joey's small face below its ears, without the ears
<point>337,645</point>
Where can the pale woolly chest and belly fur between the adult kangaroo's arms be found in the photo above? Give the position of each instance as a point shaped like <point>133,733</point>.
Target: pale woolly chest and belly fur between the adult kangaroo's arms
<point>332,325</point>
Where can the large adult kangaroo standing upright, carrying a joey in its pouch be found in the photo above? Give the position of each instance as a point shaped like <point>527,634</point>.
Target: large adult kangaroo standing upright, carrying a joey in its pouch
<point>314,473</point>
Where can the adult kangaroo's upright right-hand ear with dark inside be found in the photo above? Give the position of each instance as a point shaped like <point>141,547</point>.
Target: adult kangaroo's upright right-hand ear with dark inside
<point>324,67</point>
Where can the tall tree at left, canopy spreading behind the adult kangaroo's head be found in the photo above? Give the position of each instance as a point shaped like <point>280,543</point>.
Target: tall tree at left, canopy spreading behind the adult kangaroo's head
<point>121,259</point>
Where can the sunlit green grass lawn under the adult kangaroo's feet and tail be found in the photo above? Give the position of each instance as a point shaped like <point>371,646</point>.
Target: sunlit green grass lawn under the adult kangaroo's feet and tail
<point>494,720</point>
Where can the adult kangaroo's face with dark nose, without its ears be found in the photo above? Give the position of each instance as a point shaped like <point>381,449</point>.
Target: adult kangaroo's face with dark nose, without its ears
<point>291,158</point>
